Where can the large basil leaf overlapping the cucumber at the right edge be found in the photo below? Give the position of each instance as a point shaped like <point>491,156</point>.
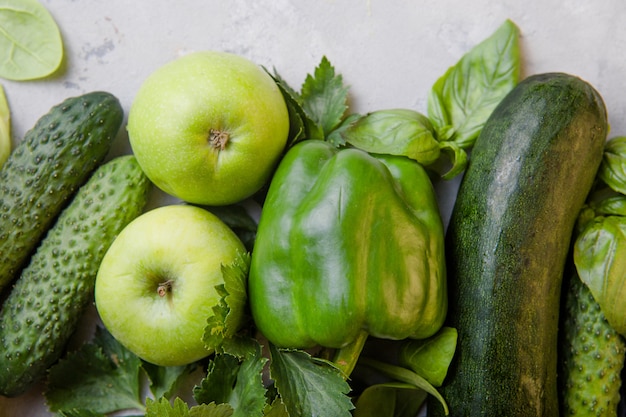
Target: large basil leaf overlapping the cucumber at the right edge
<point>600,259</point>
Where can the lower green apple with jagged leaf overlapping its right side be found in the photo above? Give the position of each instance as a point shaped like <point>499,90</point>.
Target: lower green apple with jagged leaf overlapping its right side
<point>180,244</point>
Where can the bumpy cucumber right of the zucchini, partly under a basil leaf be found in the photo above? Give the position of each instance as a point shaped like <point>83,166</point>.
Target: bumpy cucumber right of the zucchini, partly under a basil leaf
<point>592,356</point>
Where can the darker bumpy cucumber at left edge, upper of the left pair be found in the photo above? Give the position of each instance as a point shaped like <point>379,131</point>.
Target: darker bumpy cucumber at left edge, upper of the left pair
<point>46,168</point>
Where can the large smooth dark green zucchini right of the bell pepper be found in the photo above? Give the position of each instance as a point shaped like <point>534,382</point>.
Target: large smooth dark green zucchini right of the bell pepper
<point>507,242</point>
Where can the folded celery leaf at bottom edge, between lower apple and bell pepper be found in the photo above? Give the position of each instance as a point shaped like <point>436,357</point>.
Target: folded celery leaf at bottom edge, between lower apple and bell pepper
<point>235,382</point>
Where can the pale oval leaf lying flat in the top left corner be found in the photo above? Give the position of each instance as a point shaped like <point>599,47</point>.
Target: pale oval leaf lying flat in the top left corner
<point>30,40</point>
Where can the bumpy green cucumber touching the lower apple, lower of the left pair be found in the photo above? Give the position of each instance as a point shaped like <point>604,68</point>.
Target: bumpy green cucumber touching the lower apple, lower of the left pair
<point>44,306</point>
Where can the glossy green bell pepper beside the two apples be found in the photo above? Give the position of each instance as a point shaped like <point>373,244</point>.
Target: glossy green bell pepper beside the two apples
<point>347,242</point>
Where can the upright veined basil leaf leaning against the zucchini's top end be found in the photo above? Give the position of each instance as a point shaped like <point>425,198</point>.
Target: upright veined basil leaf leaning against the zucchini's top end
<point>461,100</point>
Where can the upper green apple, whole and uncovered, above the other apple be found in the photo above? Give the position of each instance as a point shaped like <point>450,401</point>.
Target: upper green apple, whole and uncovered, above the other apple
<point>209,127</point>
